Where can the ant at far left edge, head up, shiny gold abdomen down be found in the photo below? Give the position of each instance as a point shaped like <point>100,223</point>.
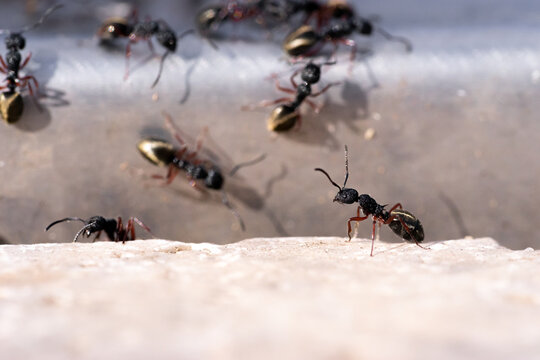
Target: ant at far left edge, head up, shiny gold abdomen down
<point>11,103</point>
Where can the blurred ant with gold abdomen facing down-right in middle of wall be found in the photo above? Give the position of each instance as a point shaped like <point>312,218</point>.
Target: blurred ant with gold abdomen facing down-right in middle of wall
<point>162,153</point>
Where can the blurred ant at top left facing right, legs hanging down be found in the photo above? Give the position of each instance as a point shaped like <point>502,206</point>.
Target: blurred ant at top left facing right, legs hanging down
<point>114,28</point>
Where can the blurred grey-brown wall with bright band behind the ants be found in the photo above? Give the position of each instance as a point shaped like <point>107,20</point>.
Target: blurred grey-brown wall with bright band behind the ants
<point>455,126</point>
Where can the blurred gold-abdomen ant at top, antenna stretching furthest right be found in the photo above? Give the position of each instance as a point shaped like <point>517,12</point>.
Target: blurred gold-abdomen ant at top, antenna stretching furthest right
<point>308,41</point>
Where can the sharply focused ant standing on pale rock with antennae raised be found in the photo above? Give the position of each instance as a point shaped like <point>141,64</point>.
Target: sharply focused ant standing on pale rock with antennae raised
<point>403,223</point>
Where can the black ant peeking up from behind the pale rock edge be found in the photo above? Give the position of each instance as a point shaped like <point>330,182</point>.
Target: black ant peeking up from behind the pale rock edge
<point>114,229</point>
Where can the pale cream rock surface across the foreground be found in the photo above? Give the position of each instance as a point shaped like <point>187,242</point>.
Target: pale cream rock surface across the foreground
<point>286,298</point>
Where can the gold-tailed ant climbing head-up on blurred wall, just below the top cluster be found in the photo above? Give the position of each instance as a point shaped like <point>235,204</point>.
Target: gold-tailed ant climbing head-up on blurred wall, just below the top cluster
<point>285,116</point>
